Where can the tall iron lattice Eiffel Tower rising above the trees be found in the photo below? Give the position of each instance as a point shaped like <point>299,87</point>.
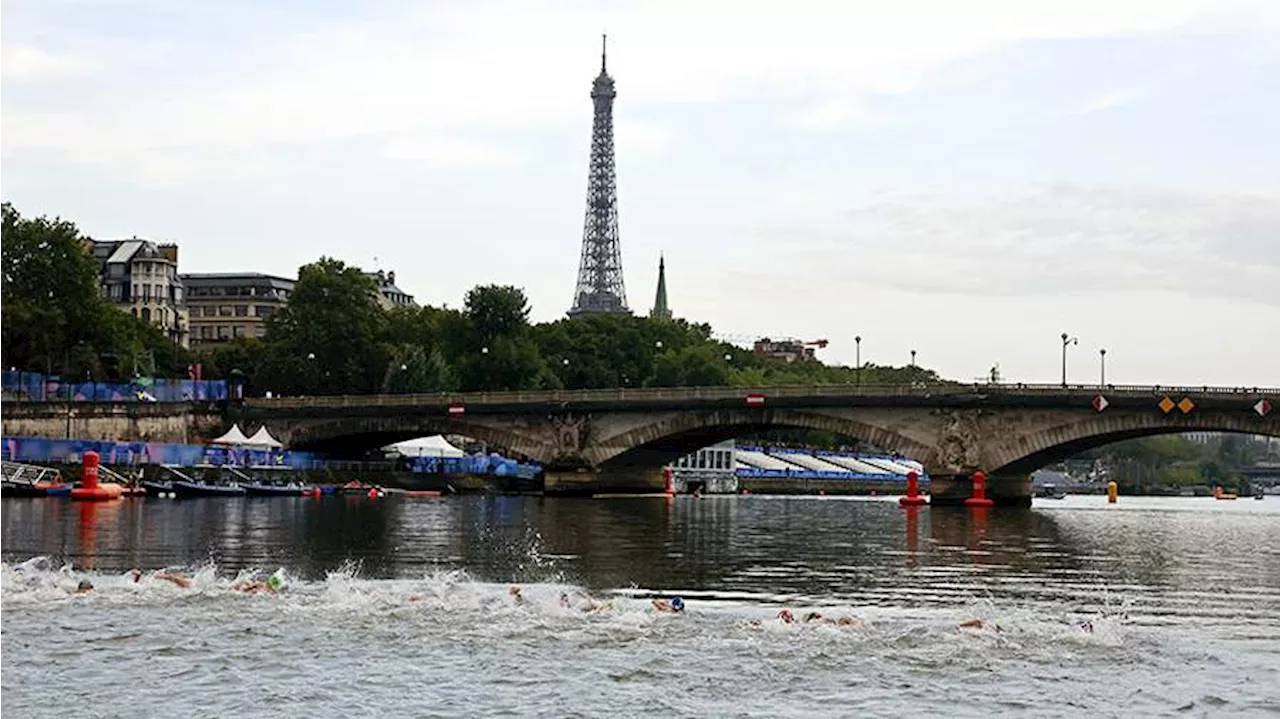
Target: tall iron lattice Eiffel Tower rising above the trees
<point>600,274</point>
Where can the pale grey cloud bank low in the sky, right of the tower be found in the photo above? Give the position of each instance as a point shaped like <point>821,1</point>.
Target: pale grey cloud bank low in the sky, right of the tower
<point>1058,240</point>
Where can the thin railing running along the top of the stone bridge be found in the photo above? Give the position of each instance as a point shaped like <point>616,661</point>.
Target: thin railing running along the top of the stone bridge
<point>716,393</point>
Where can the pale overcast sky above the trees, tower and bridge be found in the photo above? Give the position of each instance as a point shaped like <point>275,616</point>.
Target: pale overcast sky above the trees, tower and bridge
<point>967,180</point>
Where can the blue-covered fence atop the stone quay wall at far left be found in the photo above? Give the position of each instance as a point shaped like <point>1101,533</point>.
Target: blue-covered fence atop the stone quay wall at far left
<point>36,387</point>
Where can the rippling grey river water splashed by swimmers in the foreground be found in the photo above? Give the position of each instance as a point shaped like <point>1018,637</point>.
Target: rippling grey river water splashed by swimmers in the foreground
<point>401,607</point>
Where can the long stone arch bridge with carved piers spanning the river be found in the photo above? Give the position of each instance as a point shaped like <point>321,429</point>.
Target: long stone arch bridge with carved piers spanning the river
<point>619,441</point>
